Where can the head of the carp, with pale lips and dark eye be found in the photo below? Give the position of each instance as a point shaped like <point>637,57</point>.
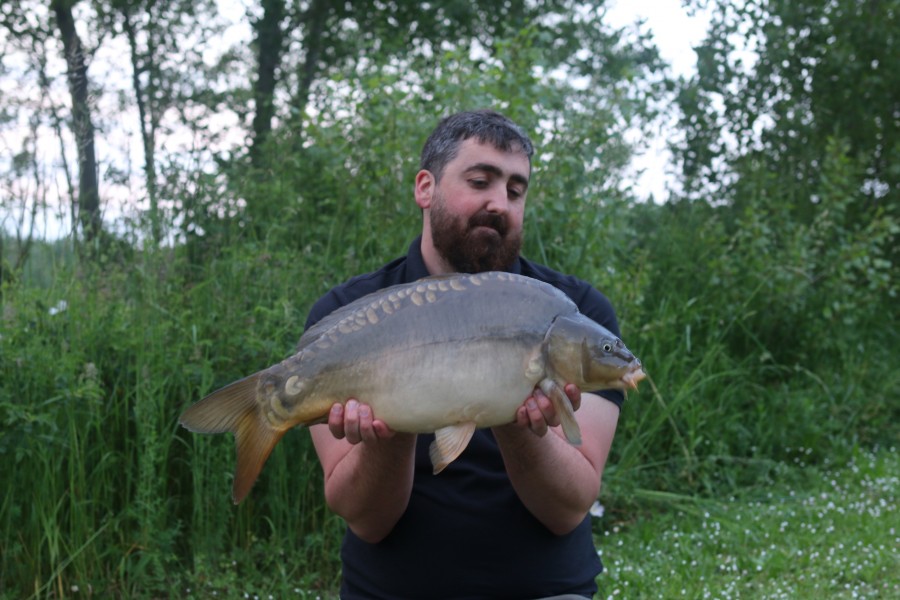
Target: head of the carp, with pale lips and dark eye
<point>587,354</point>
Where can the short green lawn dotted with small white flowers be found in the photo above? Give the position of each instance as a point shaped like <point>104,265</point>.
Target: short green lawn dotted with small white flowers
<point>812,532</point>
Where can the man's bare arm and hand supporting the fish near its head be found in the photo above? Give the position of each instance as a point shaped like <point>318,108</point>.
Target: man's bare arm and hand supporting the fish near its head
<point>558,482</point>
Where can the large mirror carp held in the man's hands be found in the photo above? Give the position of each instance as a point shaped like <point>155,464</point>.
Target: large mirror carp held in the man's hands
<point>442,355</point>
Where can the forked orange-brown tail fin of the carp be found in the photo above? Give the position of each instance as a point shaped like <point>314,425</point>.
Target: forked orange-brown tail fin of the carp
<point>234,408</point>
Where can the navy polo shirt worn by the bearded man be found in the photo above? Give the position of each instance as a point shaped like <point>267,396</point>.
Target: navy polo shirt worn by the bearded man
<point>465,533</point>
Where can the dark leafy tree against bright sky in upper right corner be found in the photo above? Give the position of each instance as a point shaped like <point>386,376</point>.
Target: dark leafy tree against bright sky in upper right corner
<point>818,71</point>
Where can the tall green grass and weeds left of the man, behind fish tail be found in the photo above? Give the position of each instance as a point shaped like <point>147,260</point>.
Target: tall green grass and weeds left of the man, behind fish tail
<point>105,487</point>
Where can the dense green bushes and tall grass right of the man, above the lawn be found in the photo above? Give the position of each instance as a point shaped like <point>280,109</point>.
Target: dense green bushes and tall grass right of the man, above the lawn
<point>759,328</point>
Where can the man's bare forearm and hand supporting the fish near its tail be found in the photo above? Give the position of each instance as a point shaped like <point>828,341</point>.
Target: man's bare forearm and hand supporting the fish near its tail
<point>368,469</point>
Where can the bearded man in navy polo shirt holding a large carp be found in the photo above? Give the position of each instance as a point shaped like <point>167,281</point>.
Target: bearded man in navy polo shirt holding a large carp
<point>508,518</point>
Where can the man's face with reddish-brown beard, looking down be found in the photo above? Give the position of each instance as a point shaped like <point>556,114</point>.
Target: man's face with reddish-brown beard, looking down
<point>478,207</point>
